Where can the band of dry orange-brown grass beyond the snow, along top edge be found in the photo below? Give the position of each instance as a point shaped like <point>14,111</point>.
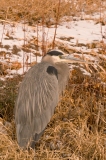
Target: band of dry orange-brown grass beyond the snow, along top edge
<point>36,10</point>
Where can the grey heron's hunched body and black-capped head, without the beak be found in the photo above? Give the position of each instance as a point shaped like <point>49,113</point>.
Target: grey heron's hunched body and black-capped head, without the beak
<point>38,96</point>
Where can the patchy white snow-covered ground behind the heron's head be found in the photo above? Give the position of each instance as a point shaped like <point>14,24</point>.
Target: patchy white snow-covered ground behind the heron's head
<point>80,38</point>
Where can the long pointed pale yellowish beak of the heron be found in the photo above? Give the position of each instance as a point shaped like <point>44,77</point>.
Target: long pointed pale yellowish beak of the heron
<point>70,59</point>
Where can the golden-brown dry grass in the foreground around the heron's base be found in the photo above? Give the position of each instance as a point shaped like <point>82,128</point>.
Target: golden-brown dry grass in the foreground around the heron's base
<point>77,130</point>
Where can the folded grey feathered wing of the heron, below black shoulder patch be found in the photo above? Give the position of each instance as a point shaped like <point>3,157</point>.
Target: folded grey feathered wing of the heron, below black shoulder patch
<point>37,99</point>
